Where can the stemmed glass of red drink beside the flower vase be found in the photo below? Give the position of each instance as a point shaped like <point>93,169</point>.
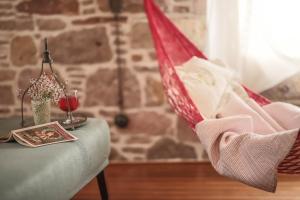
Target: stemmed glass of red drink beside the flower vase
<point>68,103</point>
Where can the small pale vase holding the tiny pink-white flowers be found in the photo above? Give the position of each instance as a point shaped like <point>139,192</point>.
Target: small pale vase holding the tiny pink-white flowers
<point>41,111</point>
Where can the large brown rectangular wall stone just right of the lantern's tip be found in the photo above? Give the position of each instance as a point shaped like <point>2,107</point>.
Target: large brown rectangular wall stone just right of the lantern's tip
<point>82,46</point>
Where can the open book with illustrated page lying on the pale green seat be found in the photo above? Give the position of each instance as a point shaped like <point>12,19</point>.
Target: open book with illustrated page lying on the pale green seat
<point>39,135</point>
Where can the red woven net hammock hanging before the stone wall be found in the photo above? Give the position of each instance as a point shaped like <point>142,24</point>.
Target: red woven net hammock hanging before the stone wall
<point>173,49</point>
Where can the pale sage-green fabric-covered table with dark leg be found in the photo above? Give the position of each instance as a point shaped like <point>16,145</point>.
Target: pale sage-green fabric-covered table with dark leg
<point>55,171</point>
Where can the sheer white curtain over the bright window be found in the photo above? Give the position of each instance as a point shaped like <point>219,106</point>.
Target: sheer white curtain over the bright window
<point>259,39</point>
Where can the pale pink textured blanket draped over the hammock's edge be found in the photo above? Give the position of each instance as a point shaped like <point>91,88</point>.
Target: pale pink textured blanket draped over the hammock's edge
<point>248,141</point>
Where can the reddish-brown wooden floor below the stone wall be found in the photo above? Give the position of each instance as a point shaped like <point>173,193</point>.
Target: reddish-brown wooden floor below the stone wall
<point>182,182</point>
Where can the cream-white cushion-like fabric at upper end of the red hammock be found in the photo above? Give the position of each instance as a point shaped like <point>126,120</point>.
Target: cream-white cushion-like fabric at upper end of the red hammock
<point>205,82</point>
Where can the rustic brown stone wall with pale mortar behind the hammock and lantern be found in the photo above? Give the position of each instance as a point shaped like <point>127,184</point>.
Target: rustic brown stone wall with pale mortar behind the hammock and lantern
<point>81,36</point>
